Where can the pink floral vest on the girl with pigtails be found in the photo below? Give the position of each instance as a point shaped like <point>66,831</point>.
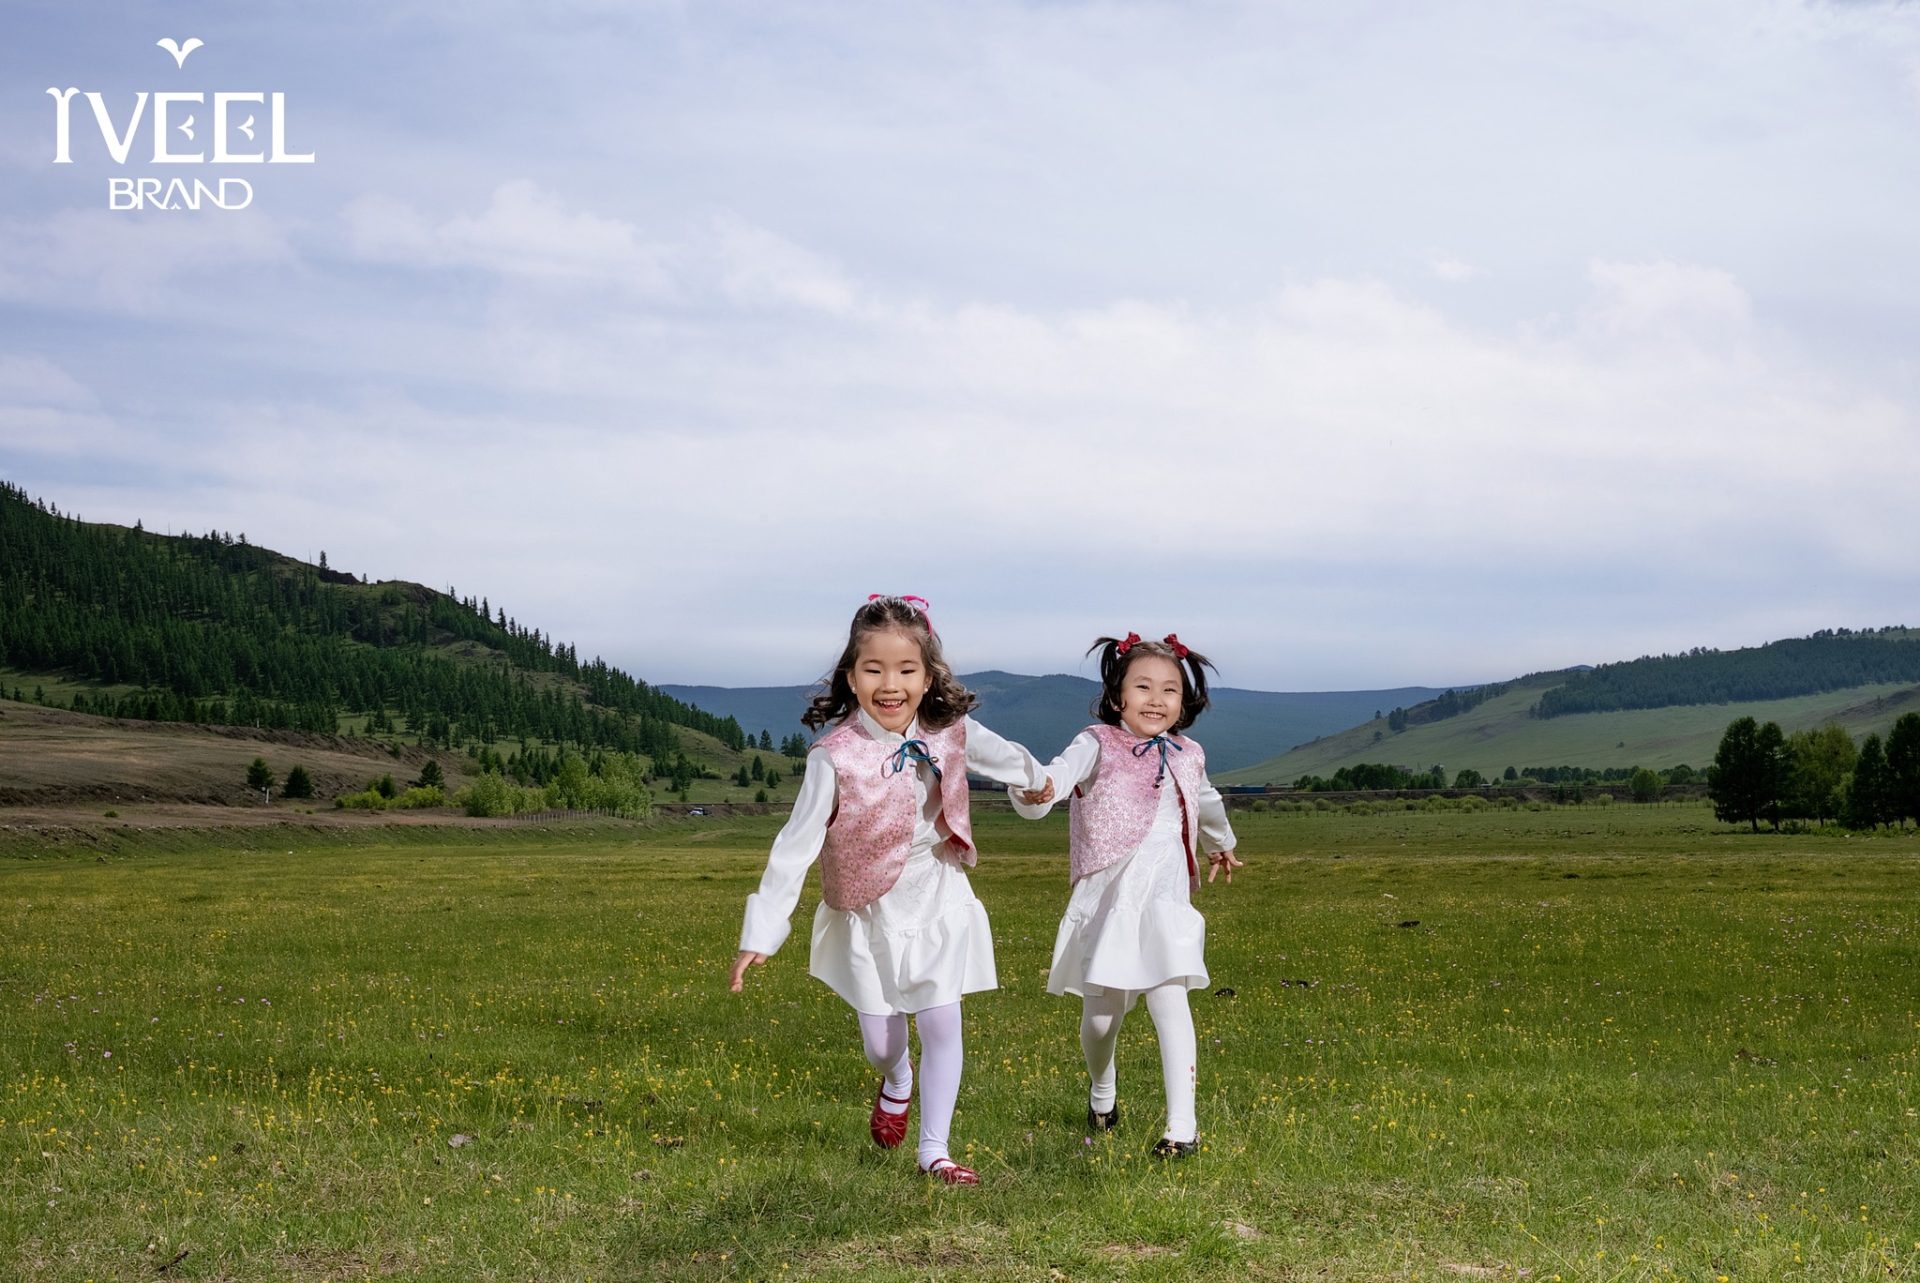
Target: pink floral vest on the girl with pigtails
<point>1113,815</point>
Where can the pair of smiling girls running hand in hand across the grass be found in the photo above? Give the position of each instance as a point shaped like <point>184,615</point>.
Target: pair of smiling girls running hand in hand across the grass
<point>900,932</point>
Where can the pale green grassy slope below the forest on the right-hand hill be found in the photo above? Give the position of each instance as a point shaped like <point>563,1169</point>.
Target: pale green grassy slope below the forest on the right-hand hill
<point>1500,735</point>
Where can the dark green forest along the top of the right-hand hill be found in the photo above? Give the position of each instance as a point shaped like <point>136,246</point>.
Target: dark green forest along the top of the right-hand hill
<point>1827,662</point>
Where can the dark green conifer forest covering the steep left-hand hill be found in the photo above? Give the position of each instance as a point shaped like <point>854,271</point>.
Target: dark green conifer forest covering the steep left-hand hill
<point>212,629</point>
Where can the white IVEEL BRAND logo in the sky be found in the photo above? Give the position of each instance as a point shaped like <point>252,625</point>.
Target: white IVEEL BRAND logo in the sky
<point>181,130</point>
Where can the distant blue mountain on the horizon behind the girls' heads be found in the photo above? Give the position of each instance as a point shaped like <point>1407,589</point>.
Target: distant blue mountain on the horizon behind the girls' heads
<point>1044,714</point>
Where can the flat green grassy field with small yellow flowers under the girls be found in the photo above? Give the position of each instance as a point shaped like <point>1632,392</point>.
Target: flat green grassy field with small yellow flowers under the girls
<point>1577,1044</point>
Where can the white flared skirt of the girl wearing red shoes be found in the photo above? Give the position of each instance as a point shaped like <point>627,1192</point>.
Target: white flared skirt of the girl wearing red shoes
<point>923,944</point>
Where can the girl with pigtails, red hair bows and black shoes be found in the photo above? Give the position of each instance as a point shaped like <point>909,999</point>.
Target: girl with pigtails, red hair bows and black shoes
<point>1141,813</point>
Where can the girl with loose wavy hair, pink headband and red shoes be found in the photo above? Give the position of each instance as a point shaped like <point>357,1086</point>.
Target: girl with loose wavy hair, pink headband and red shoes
<point>884,808</point>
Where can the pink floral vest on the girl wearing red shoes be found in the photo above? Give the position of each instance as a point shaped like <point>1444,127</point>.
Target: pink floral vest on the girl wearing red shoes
<point>873,827</point>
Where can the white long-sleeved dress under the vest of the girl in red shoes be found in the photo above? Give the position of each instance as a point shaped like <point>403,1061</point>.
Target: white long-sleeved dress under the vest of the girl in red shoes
<point>923,944</point>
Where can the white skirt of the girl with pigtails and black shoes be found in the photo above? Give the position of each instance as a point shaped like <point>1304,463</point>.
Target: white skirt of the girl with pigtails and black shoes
<point>1132,927</point>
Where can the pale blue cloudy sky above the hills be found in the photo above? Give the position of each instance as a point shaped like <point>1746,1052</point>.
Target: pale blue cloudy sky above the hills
<point>1362,345</point>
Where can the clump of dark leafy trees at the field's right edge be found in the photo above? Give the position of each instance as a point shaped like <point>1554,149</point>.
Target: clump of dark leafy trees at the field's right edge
<point>1762,773</point>
